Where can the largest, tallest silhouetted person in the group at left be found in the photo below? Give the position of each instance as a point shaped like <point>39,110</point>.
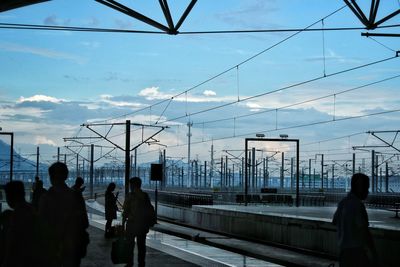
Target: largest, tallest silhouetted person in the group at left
<point>64,221</point>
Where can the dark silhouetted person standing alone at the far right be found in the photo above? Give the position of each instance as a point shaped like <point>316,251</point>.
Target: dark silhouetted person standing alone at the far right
<point>351,219</point>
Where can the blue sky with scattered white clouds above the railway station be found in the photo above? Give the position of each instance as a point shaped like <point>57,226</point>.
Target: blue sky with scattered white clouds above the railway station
<point>325,88</point>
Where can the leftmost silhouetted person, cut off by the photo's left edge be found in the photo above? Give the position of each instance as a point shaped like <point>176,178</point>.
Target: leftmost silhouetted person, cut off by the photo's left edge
<point>20,239</point>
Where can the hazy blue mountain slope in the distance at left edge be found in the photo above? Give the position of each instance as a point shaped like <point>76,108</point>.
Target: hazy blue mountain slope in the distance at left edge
<point>20,163</point>
